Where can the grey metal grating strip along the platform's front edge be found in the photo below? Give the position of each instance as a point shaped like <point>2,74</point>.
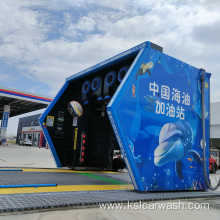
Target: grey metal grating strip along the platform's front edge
<point>21,202</point>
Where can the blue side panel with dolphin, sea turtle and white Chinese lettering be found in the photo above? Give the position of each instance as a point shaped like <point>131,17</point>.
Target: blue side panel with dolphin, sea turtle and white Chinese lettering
<point>156,116</point>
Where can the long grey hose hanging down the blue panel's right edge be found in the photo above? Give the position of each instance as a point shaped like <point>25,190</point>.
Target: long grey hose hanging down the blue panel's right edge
<point>203,133</point>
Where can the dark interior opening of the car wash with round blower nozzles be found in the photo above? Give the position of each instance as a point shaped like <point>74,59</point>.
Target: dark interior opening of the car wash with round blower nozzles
<point>80,130</point>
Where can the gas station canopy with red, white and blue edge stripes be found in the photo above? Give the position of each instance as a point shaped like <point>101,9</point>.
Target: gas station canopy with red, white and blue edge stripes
<point>21,102</point>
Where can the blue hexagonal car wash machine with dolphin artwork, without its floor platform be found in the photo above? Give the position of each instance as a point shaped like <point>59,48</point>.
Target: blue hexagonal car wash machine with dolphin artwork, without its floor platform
<point>151,106</point>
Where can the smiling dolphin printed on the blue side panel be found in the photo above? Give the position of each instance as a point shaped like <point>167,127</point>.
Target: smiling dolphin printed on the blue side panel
<point>175,142</point>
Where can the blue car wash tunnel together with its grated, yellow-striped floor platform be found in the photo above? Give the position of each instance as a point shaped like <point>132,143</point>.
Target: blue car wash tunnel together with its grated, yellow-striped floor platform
<point>140,109</point>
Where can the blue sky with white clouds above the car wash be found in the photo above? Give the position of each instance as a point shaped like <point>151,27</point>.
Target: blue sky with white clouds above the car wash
<point>44,42</point>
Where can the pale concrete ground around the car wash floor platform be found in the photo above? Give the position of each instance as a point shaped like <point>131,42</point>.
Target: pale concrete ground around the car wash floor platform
<point>34,157</point>
